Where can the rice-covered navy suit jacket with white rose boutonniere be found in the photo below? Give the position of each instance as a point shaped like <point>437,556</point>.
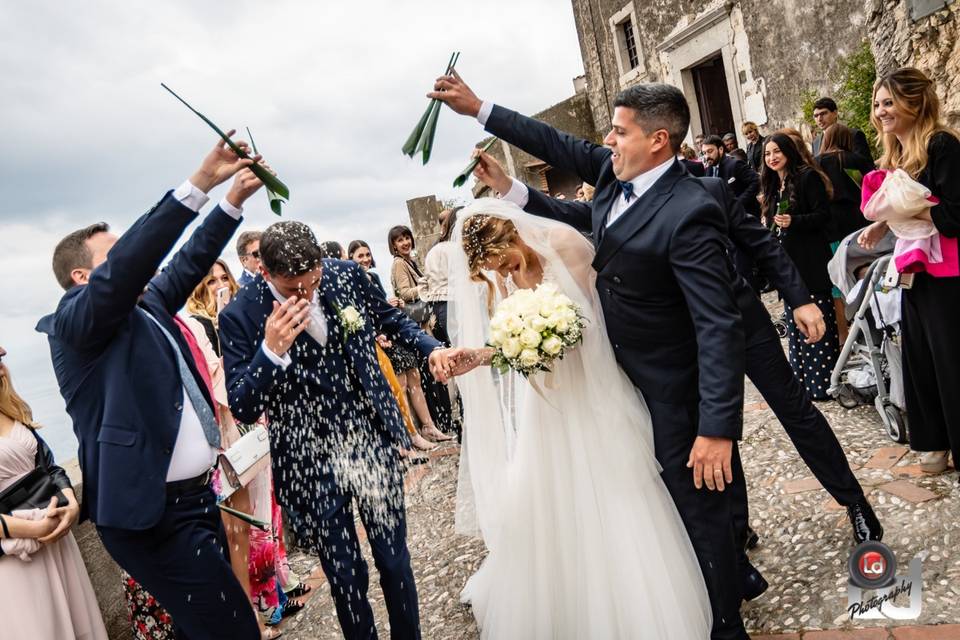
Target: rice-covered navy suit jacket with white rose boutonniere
<point>324,384</point>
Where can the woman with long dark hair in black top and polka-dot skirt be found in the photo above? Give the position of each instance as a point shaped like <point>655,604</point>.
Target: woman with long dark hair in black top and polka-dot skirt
<point>796,204</point>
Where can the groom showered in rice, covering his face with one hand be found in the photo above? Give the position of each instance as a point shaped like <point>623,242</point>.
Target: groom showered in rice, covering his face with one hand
<point>298,344</point>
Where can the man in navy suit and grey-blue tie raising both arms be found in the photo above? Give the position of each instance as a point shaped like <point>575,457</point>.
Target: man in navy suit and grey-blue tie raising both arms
<point>146,445</point>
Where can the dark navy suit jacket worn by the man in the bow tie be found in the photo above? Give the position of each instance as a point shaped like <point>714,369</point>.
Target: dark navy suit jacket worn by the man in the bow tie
<point>662,275</point>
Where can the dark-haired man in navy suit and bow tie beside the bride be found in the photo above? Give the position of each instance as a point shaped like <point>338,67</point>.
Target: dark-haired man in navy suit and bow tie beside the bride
<point>667,301</point>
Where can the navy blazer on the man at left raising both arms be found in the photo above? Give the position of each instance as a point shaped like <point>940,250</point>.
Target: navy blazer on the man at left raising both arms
<point>115,368</point>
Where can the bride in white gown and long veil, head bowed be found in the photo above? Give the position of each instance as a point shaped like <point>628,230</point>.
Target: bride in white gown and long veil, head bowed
<point>584,540</point>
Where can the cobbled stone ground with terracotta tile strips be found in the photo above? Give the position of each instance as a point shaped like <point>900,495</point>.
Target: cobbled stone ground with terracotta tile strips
<point>805,539</point>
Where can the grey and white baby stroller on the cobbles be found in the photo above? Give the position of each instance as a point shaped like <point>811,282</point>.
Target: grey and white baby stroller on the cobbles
<point>870,367</point>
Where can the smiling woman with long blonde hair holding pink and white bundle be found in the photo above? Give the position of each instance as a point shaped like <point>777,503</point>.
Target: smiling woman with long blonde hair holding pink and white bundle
<point>906,115</point>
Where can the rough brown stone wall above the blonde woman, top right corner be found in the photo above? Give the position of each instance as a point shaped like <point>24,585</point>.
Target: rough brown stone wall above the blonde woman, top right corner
<point>930,44</point>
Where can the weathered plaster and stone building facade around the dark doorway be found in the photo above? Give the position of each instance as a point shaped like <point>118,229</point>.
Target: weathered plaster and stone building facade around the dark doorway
<point>777,49</point>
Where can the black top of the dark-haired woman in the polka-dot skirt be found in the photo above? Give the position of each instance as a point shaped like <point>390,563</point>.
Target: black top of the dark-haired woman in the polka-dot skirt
<point>806,238</point>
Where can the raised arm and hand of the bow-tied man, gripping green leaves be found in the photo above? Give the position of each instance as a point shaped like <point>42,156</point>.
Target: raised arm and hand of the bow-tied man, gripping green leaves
<point>539,139</point>
